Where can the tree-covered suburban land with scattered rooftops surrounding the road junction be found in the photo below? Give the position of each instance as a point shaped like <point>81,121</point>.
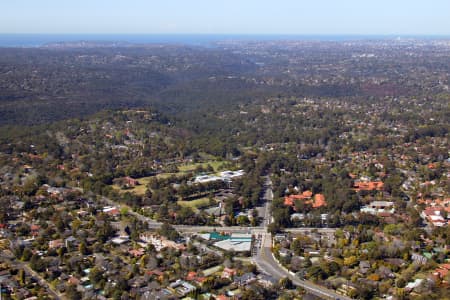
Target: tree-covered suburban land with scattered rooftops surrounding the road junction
<point>98,144</point>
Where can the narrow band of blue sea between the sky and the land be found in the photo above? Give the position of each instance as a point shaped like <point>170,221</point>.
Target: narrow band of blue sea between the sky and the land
<point>38,40</point>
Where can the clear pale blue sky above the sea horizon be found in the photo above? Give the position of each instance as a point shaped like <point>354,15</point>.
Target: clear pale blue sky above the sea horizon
<point>391,17</point>
